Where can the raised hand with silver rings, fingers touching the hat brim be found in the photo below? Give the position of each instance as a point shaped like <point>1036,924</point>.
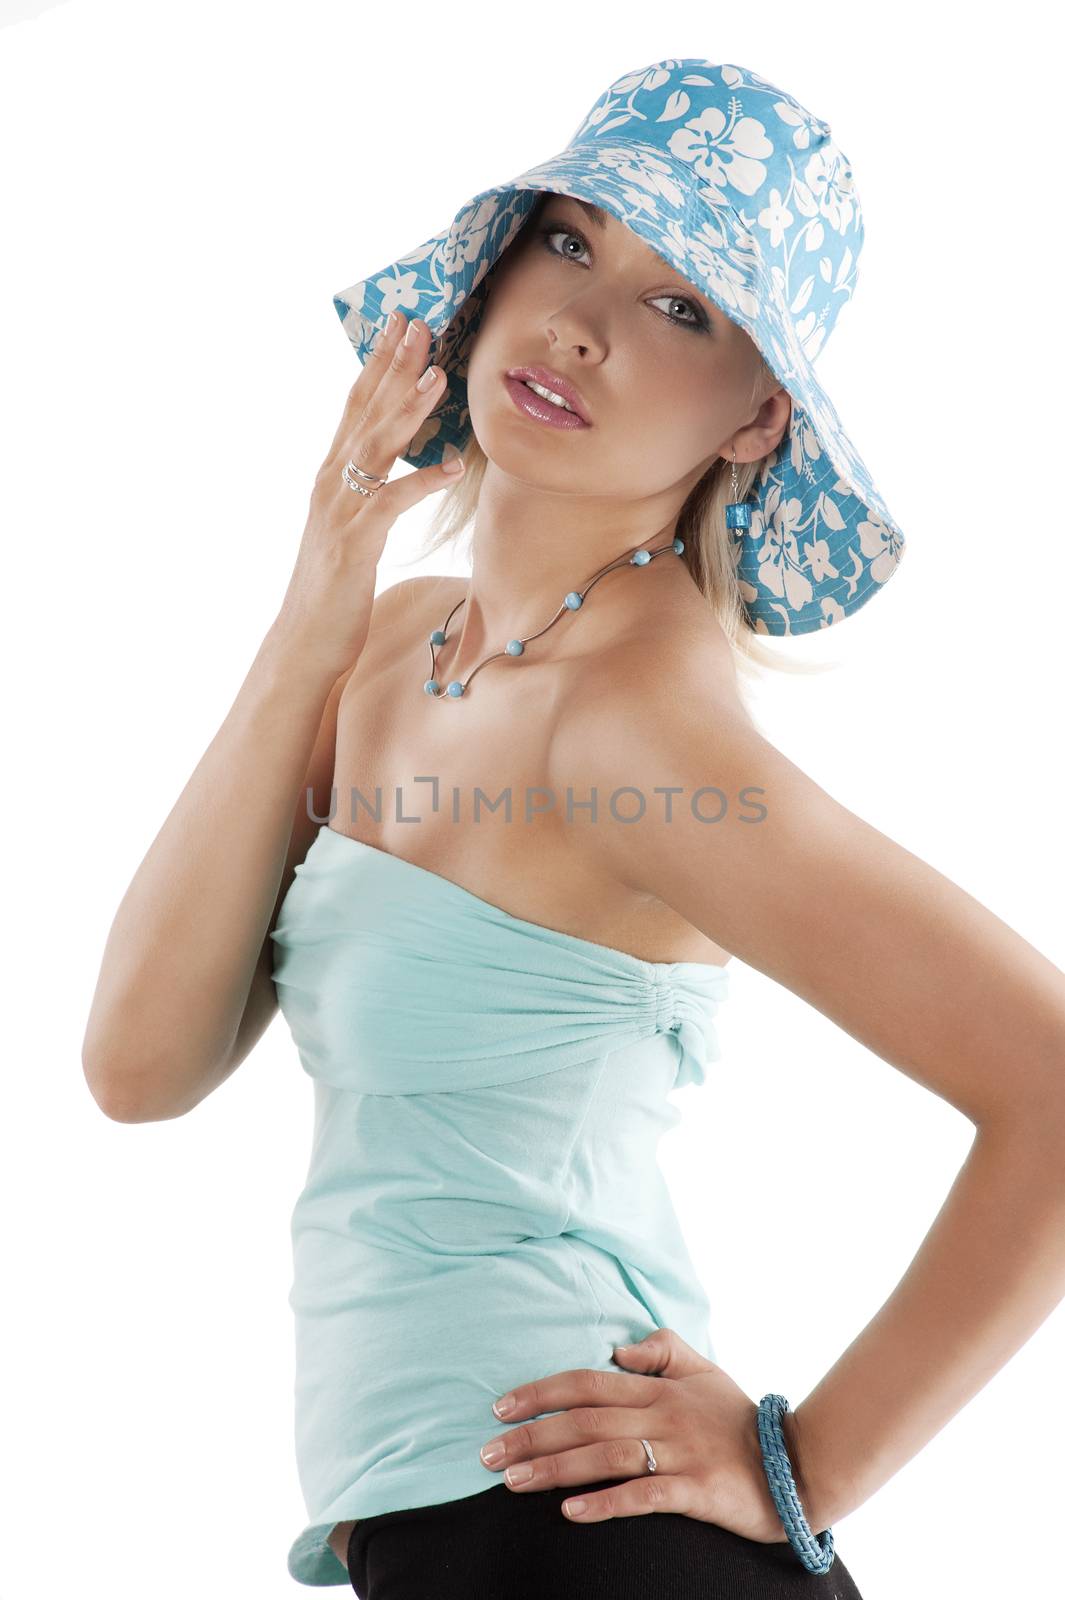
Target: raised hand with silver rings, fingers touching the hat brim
<point>330,596</point>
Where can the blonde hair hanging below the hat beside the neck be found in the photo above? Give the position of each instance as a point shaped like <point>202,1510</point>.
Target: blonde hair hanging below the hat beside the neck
<point>701,526</point>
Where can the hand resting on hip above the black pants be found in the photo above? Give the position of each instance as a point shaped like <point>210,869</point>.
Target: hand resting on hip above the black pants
<point>700,1425</point>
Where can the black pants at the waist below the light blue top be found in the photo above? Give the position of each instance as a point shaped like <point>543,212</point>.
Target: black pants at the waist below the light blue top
<point>511,1546</point>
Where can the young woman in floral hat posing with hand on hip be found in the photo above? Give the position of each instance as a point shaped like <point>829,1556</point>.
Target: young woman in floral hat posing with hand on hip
<point>460,833</point>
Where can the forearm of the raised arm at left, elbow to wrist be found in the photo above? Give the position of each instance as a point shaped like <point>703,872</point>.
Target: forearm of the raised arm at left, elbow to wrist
<point>189,943</point>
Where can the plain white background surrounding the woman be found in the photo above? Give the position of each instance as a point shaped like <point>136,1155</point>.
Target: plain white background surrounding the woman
<point>185,190</point>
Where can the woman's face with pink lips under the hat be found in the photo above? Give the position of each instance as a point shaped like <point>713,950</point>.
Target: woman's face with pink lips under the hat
<point>666,377</point>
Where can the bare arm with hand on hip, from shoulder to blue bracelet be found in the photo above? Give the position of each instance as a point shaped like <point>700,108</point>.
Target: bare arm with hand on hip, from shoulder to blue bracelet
<point>927,977</point>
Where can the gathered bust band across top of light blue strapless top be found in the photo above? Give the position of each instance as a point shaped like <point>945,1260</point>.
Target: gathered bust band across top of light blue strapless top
<point>399,982</point>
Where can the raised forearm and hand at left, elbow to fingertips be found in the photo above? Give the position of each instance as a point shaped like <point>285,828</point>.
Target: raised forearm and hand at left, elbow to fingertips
<point>185,988</point>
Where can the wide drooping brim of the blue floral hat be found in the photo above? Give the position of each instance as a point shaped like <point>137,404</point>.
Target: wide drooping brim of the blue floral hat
<point>821,540</point>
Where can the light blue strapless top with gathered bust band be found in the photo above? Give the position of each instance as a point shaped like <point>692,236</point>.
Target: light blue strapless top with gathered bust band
<point>484,1202</point>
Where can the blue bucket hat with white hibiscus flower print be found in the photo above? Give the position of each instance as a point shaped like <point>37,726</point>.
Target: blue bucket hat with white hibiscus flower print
<point>746,194</point>
